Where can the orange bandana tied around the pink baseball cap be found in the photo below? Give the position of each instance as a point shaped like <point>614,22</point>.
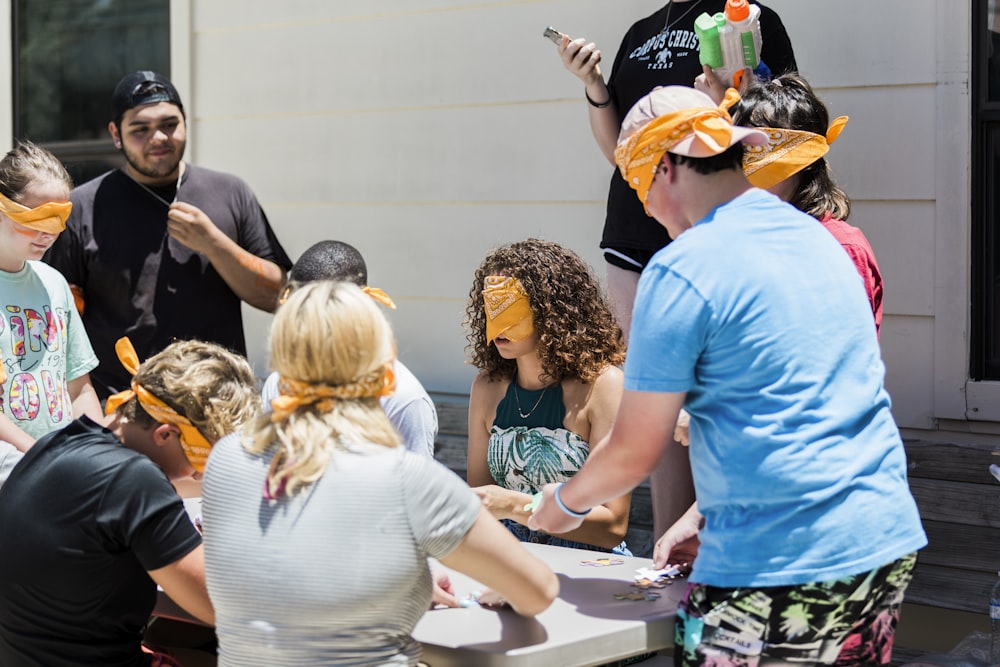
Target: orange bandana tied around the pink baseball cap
<point>712,128</point>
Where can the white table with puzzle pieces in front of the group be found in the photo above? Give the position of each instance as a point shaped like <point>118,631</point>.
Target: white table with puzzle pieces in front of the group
<point>585,625</point>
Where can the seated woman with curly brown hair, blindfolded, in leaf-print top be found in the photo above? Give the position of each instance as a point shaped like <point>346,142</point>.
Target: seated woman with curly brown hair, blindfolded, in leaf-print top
<point>547,349</point>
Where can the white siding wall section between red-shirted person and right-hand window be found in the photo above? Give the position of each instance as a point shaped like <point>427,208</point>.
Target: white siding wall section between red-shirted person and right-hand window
<point>899,69</point>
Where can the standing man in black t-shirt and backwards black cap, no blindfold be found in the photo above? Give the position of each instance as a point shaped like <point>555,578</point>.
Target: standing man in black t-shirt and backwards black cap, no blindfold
<point>161,250</point>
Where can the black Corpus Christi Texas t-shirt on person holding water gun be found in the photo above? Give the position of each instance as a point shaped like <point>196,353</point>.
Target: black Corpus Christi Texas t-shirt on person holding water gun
<point>650,56</point>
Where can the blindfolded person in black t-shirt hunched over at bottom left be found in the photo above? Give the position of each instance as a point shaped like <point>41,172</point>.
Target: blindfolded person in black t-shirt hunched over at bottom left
<point>89,524</point>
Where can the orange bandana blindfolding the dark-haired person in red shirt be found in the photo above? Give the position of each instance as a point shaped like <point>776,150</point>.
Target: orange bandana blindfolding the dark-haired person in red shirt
<point>787,153</point>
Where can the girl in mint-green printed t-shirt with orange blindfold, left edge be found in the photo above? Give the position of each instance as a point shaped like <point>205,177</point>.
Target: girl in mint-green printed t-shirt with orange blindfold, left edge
<point>46,355</point>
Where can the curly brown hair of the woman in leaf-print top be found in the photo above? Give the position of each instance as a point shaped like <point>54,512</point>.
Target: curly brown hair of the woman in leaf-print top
<point>577,334</point>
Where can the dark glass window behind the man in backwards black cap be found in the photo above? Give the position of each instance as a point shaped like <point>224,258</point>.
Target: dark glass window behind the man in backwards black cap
<point>68,56</point>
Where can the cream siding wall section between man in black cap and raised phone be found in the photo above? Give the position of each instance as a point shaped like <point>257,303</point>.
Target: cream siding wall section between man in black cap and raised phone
<point>424,132</point>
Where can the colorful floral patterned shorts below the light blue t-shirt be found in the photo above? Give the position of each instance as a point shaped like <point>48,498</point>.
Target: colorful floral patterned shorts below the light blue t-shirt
<point>841,622</point>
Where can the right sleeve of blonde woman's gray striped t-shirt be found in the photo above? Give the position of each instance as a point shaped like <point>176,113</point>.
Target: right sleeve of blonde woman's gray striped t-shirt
<point>440,505</point>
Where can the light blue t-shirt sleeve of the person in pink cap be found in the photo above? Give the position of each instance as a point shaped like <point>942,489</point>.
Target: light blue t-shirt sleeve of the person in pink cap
<point>671,323</point>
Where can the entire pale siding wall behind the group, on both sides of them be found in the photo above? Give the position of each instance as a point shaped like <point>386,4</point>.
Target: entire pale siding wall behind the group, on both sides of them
<point>427,131</point>
